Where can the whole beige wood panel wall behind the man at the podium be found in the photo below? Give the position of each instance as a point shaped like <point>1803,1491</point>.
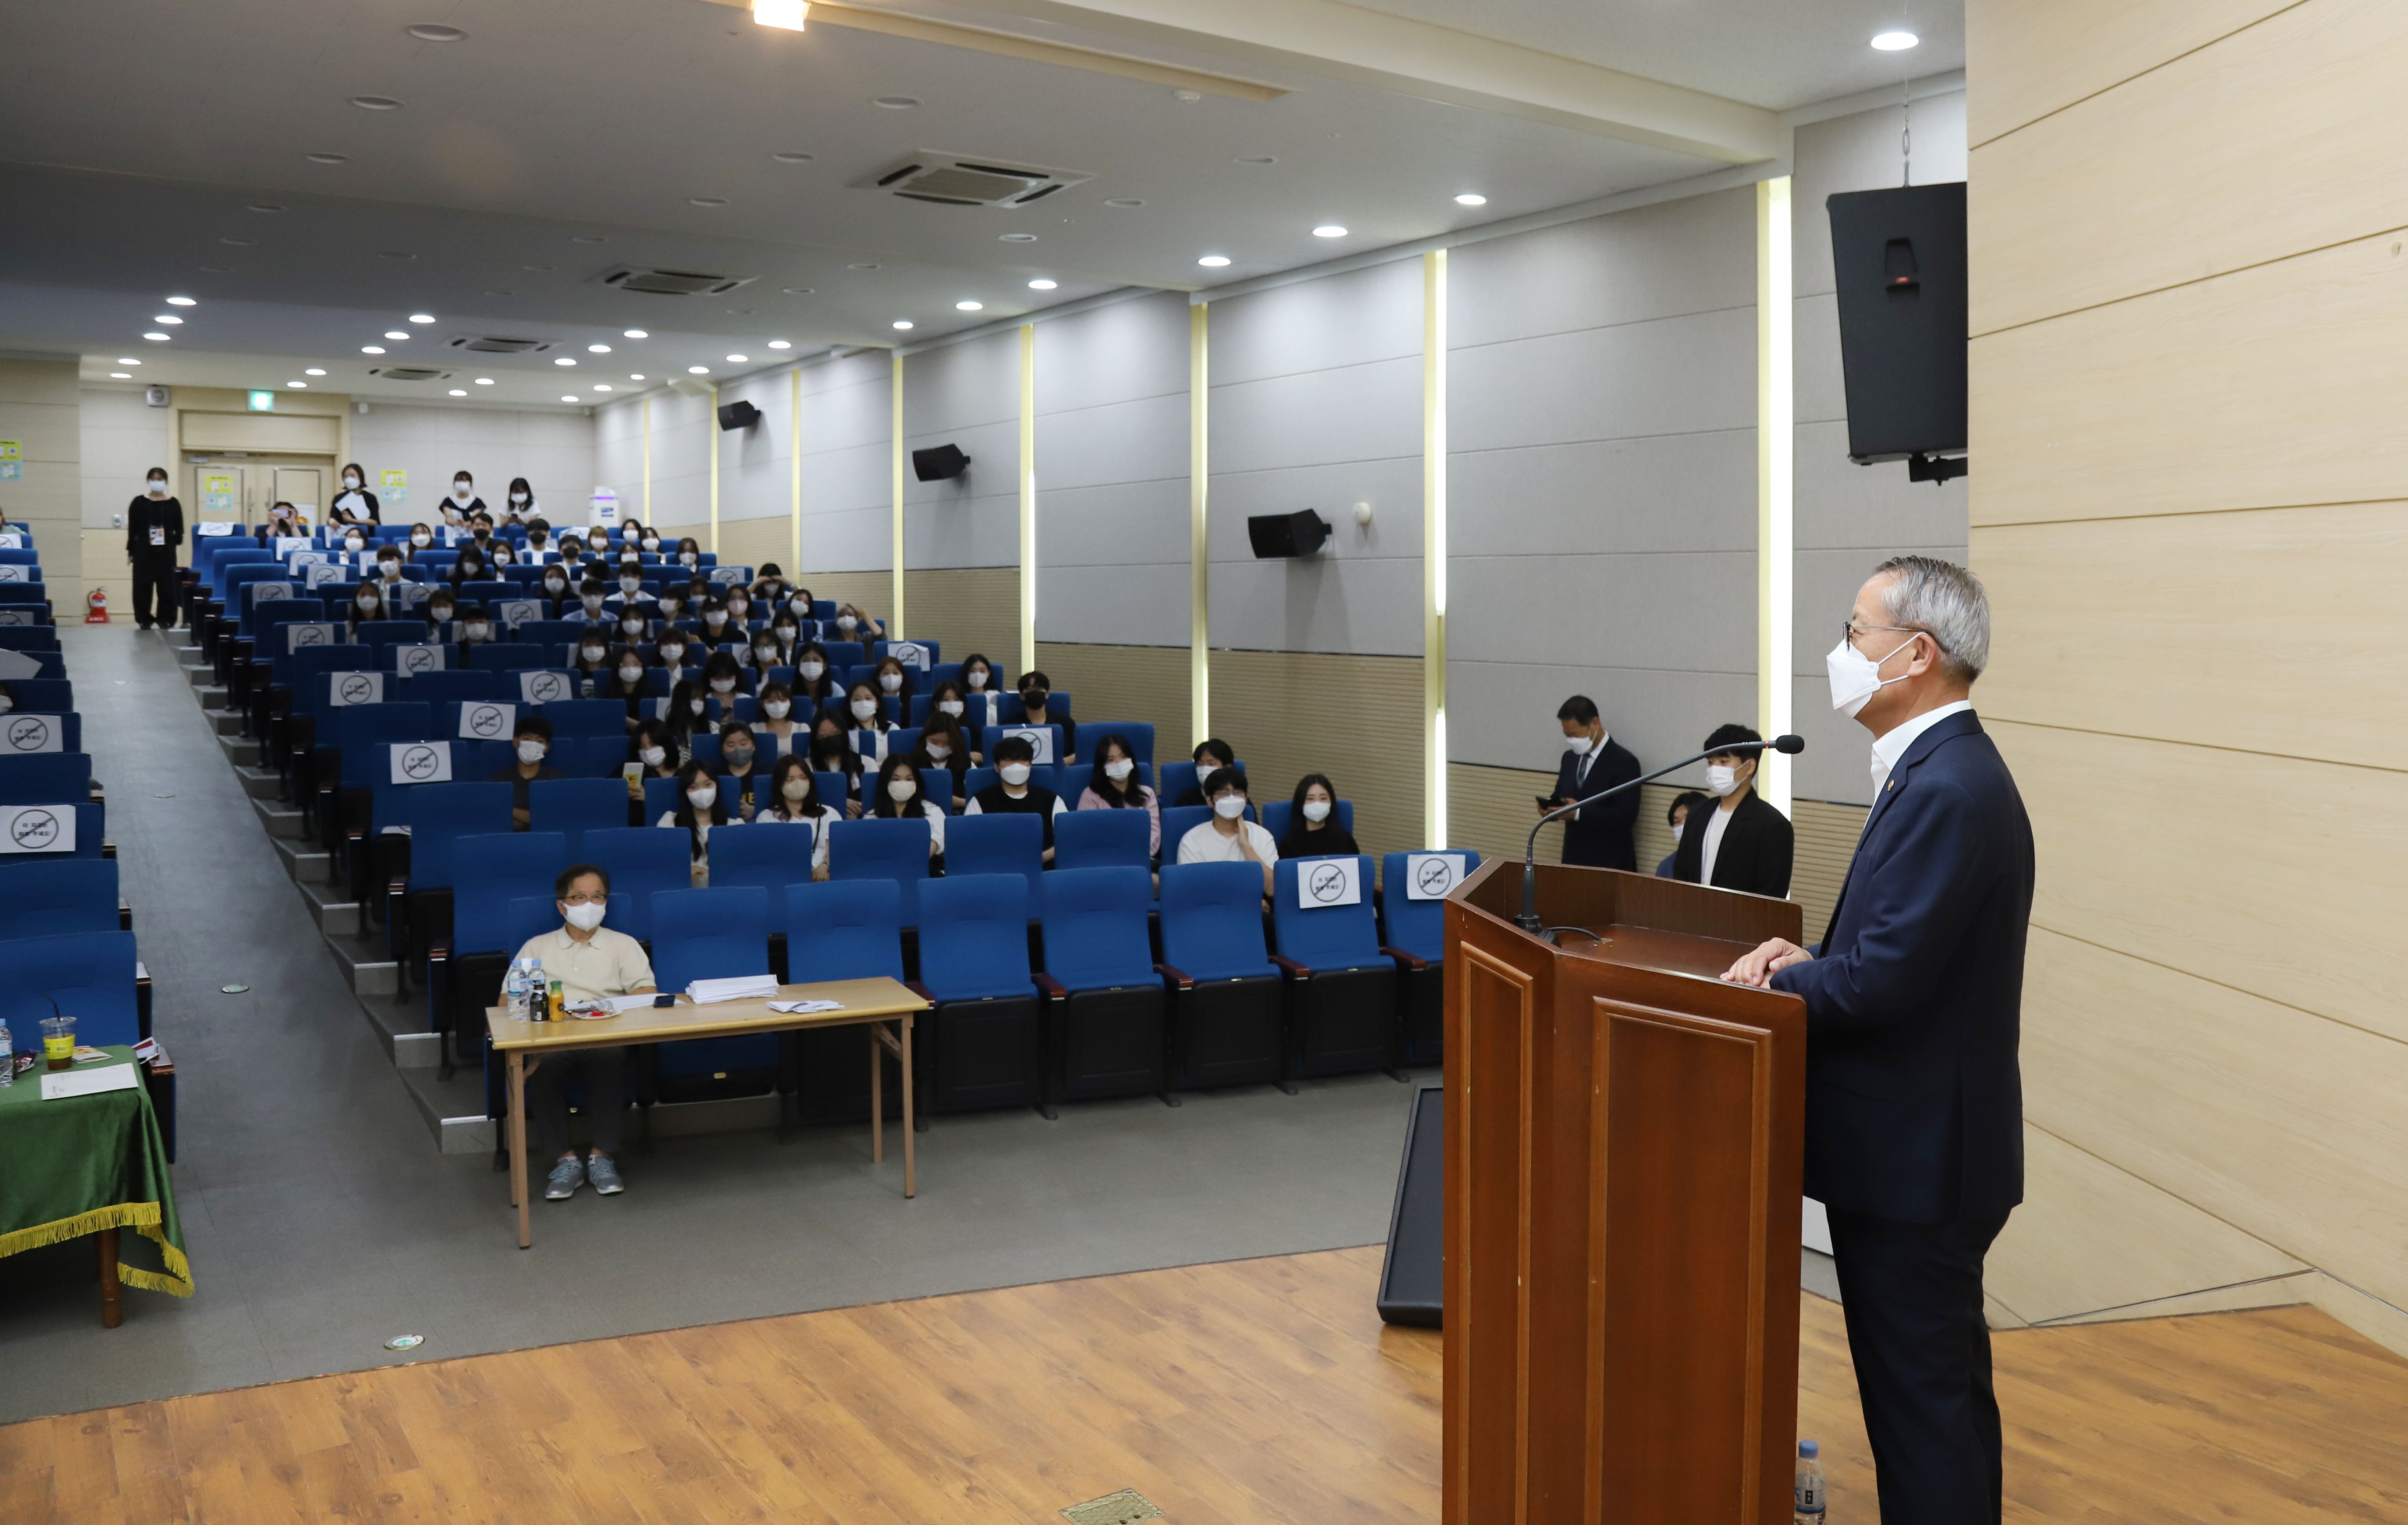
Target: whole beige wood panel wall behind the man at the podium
<point>2190,336</point>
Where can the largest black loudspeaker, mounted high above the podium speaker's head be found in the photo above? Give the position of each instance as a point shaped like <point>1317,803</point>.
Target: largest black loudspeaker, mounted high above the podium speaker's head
<point>1899,259</point>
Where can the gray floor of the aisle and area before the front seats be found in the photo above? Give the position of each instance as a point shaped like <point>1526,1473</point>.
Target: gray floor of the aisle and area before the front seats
<point>321,1220</point>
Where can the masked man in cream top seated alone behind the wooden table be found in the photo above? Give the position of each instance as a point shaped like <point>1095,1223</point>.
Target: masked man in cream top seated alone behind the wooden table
<point>591,962</point>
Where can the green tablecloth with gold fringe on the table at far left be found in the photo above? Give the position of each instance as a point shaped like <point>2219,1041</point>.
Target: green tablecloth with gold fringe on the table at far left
<point>83,1165</point>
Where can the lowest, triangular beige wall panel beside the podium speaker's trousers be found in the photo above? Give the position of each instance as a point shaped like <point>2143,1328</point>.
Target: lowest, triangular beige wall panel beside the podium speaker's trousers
<point>2091,1237</point>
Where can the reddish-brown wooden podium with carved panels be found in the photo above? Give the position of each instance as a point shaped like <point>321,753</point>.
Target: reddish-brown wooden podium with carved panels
<point>1622,1300</point>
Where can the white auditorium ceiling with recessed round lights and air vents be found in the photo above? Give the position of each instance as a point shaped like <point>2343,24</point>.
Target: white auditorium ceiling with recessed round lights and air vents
<point>562,141</point>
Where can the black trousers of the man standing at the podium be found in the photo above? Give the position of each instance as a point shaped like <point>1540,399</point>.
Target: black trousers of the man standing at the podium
<point>1913,1300</point>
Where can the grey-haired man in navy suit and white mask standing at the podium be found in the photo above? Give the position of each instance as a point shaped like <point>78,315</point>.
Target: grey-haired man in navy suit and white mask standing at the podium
<point>1913,1020</point>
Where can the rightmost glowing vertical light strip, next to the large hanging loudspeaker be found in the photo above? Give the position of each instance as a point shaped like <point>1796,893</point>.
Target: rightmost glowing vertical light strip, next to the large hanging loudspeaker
<point>1776,440</point>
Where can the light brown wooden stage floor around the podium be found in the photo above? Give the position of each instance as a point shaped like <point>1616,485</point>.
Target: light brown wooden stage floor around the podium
<point>1227,1394</point>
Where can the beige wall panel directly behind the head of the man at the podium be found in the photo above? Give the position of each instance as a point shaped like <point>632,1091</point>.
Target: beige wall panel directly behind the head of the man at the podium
<point>2260,632</point>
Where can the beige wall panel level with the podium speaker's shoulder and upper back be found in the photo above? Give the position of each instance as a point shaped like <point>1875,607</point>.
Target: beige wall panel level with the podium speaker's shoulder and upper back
<point>2265,873</point>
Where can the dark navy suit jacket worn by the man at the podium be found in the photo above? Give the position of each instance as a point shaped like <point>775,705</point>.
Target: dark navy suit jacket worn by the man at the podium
<point>1916,994</point>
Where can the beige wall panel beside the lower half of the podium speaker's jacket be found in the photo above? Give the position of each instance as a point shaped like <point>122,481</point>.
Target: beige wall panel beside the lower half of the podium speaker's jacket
<point>2282,1124</point>
